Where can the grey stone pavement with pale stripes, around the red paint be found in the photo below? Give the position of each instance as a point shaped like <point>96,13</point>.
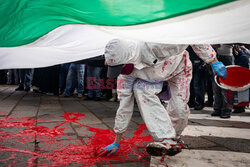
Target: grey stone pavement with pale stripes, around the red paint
<point>212,141</point>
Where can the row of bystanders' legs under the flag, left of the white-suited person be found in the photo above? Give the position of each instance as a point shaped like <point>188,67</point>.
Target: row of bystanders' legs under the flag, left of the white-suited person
<point>83,79</point>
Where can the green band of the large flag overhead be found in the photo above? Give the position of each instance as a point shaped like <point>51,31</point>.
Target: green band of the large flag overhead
<point>24,21</point>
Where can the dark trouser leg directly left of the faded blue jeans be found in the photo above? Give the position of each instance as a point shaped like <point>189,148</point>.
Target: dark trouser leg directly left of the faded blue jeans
<point>63,76</point>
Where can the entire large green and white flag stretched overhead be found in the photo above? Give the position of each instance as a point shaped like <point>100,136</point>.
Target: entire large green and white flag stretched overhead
<point>38,33</point>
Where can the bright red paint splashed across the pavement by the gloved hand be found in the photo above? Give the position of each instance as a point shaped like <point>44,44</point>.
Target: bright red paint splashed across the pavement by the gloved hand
<point>131,148</point>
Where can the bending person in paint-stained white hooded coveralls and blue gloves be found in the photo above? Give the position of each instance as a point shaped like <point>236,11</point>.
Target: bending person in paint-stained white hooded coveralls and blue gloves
<point>153,63</point>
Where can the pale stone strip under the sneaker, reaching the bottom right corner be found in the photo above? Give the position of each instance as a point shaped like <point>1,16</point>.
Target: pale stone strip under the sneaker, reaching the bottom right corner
<point>203,158</point>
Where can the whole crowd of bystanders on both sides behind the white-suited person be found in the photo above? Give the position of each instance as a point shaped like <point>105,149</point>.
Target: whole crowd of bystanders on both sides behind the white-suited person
<point>88,79</point>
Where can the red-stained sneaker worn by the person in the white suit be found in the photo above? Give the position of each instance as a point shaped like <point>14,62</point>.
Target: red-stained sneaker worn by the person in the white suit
<point>166,147</point>
